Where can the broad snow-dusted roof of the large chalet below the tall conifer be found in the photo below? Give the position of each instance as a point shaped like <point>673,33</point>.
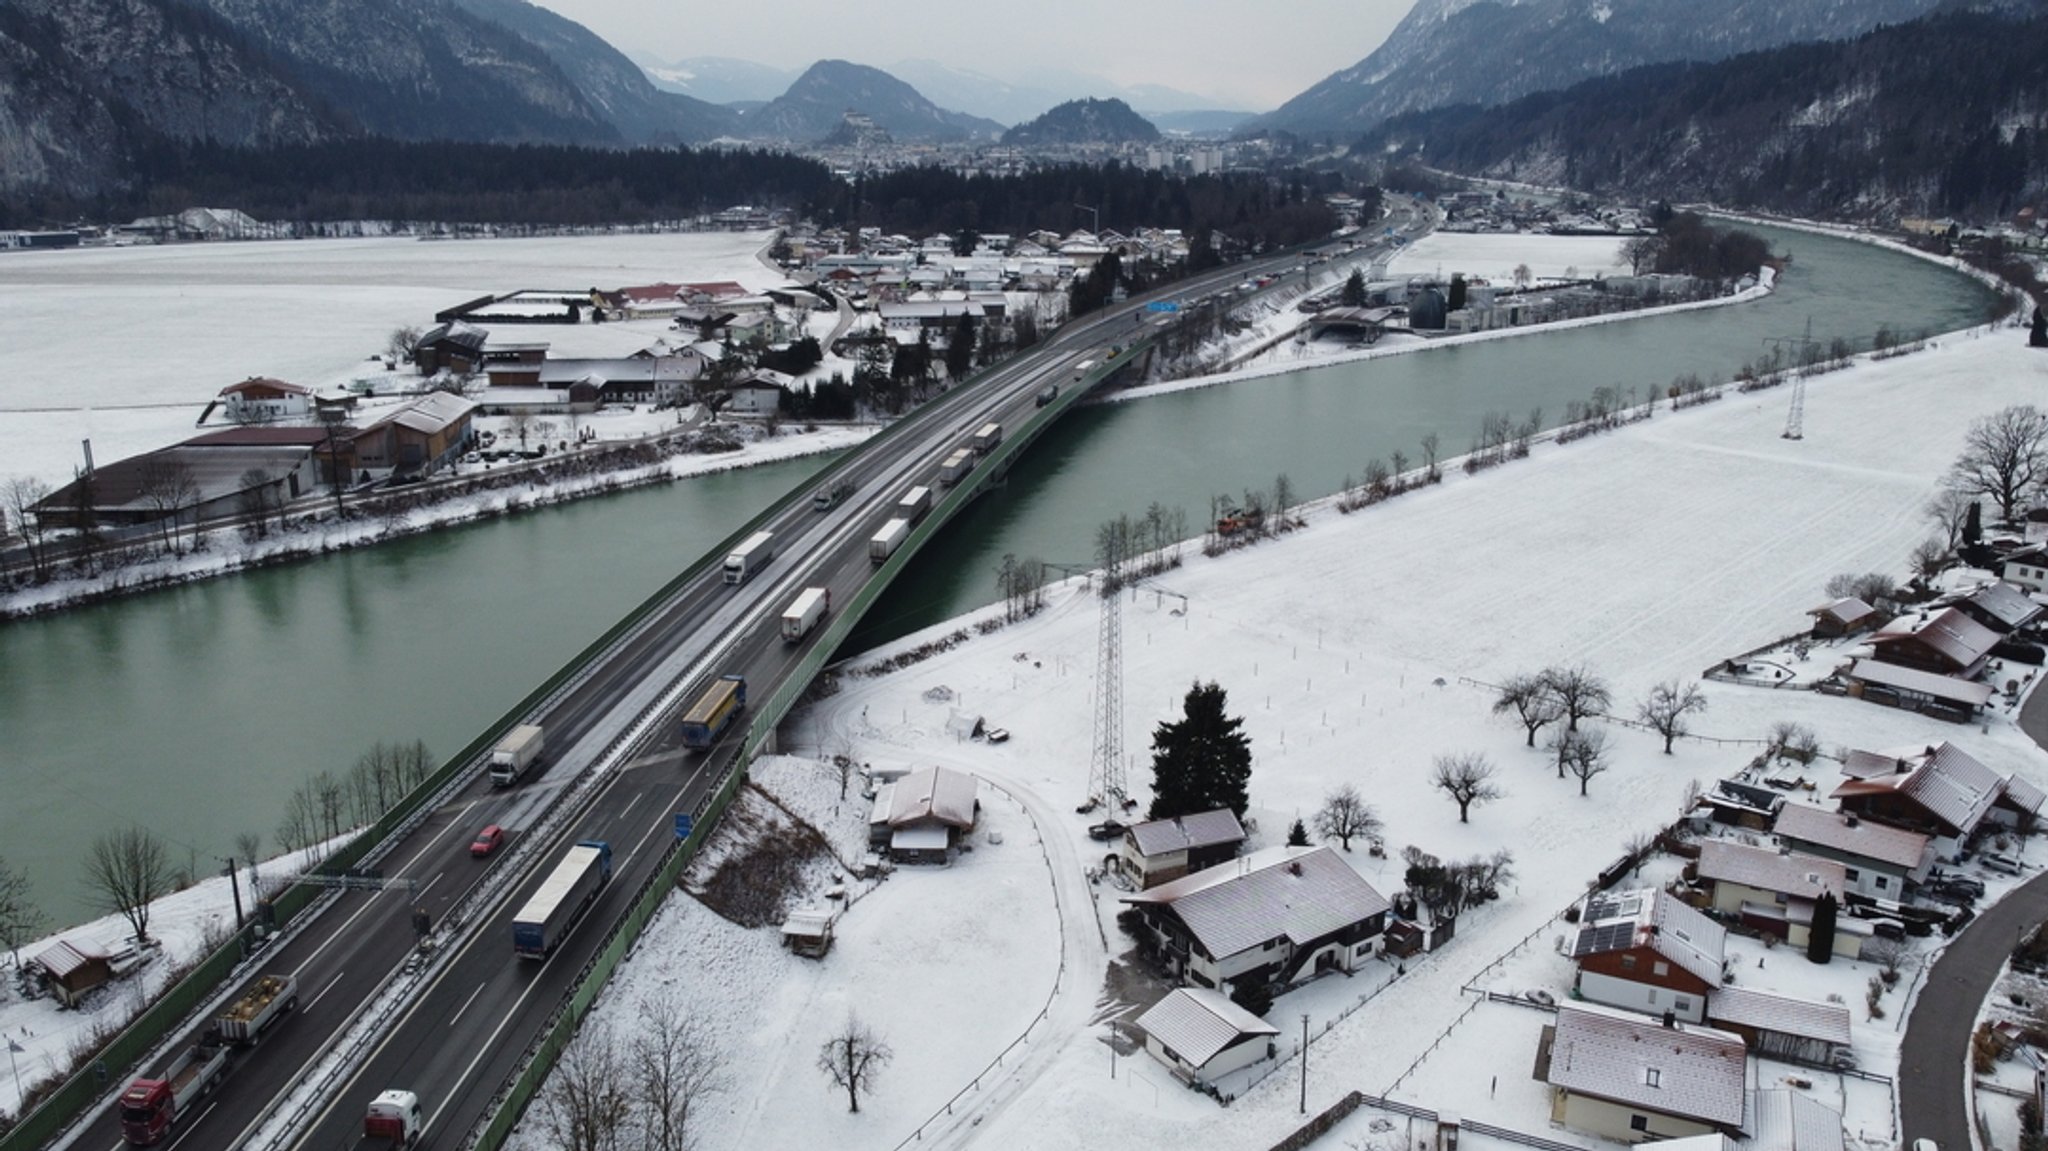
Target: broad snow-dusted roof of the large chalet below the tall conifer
<point>1299,894</point>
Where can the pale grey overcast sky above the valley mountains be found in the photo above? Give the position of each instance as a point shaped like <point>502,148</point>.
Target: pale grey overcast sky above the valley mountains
<point>1246,56</point>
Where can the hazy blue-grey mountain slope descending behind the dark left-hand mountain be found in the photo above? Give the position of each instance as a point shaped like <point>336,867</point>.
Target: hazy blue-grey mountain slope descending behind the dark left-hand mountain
<point>607,79</point>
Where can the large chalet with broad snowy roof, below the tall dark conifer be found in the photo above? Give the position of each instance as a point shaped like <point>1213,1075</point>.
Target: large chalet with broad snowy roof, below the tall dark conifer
<point>1271,919</point>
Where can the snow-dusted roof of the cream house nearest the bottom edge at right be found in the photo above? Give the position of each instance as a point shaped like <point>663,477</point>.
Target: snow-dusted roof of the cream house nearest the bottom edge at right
<point>1676,1070</point>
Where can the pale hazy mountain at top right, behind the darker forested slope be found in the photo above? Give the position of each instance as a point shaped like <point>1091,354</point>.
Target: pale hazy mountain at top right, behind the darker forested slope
<point>1488,52</point>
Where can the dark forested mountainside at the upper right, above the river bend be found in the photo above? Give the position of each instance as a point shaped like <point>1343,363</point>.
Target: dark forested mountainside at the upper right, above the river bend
<point>1873,128</point>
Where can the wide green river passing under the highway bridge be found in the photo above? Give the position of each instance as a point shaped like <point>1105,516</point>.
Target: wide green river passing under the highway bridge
<point>198,712</point>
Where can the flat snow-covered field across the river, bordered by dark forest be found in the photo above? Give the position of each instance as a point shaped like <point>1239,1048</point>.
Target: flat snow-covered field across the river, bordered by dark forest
<point>128,345</point>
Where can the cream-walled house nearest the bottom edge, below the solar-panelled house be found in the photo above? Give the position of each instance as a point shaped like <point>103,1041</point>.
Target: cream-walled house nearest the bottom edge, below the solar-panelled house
<point>1635,1080</point>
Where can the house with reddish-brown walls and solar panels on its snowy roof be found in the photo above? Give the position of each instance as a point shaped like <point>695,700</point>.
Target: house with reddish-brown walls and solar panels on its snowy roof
<point>1648,951</point>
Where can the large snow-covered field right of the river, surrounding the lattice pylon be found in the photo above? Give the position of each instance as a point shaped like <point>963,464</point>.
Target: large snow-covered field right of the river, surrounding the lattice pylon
<point>1357,650</point>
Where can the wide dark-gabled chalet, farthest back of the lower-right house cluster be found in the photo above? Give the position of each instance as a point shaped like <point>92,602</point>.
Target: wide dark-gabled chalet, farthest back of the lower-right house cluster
<point>1940,792</point>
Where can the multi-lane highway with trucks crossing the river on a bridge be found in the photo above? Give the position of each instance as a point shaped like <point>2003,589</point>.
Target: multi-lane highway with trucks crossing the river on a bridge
<point>468,1025</point>
